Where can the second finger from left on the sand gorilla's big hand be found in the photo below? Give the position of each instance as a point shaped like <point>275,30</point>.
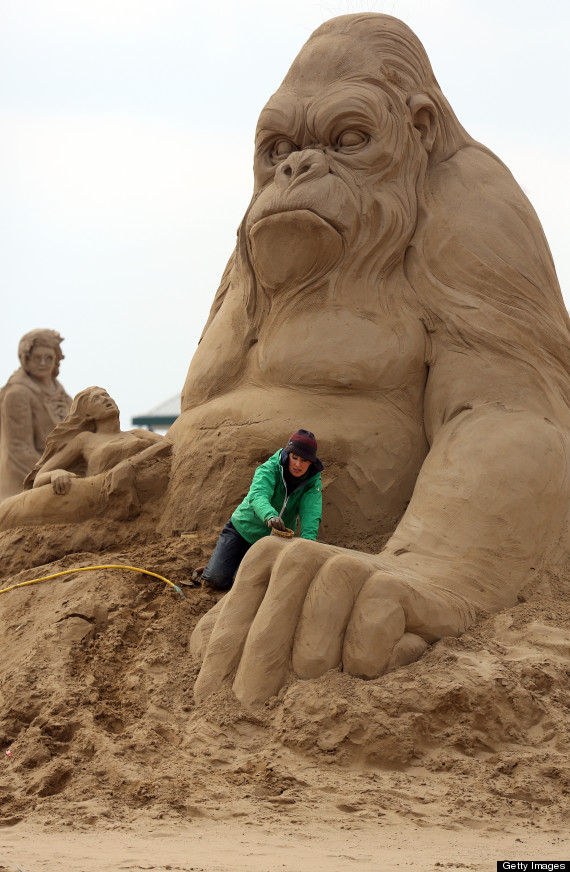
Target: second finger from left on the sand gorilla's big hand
<point>265,661</point>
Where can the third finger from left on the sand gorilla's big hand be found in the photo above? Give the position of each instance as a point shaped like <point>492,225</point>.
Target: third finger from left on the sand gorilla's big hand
<point>325,614</point>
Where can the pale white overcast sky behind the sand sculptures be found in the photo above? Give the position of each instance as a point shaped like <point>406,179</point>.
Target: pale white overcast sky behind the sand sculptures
<point>127,147</point>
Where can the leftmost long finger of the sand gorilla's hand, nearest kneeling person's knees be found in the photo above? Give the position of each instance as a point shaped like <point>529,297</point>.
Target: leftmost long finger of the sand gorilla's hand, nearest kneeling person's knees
<point>235,616</point>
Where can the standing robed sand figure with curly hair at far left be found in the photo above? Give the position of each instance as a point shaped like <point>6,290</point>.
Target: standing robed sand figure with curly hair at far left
<point>31,403</point>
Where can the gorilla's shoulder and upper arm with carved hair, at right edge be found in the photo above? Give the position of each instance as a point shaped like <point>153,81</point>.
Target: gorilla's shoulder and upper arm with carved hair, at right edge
<point>483,274</point>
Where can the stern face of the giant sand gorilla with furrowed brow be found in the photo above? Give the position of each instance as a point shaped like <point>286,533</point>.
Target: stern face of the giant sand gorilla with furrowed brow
<point>336,164</point>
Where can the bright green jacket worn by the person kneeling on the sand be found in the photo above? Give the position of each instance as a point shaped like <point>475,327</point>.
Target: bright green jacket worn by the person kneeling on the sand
<point>267,495</point>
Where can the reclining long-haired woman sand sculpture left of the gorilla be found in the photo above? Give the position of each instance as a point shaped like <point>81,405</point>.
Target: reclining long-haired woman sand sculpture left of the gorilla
<point>89,465</point>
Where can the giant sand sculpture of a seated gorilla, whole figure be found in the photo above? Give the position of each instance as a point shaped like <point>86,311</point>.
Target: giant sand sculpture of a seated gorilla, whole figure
<point>391,290</point>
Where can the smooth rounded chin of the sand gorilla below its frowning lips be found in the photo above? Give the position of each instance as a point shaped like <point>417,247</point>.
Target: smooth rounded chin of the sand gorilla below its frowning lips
<point>294,248</point>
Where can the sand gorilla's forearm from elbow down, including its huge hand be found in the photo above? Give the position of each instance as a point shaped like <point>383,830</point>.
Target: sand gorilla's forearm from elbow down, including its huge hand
<point>487,496</point>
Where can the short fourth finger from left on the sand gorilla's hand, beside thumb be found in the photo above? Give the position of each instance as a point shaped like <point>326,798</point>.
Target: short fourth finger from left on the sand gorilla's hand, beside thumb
<point>377,623</point>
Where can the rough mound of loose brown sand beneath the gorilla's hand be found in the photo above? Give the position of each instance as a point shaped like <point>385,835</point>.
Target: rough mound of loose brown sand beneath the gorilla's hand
<point>99,718</point>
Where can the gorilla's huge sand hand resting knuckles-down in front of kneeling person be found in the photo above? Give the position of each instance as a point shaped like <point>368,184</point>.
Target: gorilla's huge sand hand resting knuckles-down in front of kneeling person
<point>315,607</point>
